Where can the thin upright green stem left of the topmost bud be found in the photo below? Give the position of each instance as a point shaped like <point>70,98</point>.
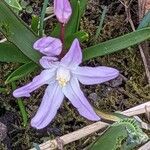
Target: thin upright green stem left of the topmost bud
<point>42,17</point>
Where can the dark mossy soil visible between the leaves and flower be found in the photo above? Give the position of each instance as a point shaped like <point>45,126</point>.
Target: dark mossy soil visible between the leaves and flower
<point>126,91</point>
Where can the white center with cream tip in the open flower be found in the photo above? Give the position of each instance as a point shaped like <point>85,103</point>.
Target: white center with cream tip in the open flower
<point>62,76</point>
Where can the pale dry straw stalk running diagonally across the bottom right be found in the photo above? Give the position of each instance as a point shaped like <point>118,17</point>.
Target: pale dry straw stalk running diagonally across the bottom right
<point>76,135</point>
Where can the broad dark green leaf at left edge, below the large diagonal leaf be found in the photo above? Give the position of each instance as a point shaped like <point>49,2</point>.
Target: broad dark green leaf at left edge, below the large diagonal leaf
<point>10,53</point>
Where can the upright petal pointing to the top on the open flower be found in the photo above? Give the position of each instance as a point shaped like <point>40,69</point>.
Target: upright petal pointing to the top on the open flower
<point>74,56</point>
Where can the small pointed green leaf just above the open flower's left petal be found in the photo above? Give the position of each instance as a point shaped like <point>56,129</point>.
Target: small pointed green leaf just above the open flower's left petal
<point>21,72</point>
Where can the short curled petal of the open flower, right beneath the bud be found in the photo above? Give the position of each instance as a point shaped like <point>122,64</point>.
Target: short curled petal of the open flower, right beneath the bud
<point>48,62</point>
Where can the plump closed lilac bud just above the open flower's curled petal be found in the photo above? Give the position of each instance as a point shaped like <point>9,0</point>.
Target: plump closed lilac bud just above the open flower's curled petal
<point>48,46</point>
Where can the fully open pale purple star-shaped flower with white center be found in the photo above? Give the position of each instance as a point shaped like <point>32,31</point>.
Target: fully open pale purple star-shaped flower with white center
<point>63,79</point>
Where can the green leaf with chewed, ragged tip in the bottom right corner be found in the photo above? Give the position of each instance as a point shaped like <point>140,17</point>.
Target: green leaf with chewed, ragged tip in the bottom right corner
<point>125,134</point>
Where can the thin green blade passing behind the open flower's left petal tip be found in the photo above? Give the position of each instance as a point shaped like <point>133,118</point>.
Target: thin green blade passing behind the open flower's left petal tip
<point>21,107</point>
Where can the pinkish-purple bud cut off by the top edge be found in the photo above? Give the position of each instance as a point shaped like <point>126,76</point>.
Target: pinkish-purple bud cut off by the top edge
<point>62,10</point>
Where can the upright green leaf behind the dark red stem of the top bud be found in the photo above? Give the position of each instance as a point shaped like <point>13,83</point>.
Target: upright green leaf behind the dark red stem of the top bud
<point>78,7</point>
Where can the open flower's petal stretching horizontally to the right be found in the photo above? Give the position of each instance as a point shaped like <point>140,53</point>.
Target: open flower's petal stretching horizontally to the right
<point>95,75</point>
